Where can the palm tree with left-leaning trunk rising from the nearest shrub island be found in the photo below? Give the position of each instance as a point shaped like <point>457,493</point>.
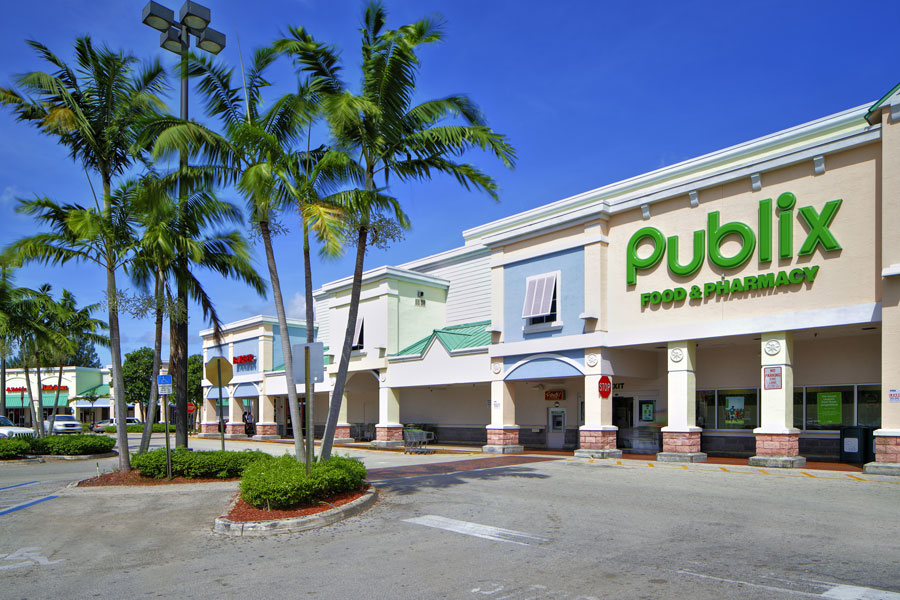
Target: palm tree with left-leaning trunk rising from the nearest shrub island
<point>244,154</point>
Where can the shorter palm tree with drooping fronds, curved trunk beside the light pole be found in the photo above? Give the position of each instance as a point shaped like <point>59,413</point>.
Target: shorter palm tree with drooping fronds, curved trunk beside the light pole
<point>172,227</point>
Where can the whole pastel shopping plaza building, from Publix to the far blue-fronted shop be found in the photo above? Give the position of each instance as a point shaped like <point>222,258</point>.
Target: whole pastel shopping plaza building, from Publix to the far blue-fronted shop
<point>743,303</point>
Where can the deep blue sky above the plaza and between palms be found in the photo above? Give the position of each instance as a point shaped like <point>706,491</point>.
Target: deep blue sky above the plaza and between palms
<point>588,92</point>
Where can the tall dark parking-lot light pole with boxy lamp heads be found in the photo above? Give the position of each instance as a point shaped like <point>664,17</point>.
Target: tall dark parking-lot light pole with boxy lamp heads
<point>175,36</point>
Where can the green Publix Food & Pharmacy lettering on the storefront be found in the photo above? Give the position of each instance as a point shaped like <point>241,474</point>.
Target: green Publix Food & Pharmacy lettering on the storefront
<point>774,223</point>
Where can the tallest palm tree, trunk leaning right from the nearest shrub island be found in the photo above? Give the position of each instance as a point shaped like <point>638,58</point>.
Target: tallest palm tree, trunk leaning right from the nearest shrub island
<point>391,137</point>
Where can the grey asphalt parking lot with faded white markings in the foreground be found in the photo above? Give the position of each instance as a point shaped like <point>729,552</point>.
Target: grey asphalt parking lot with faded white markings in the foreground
<point>559,528</point>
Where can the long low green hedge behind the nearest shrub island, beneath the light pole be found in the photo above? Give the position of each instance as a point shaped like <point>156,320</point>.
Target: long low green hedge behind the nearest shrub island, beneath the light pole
<point>196,465</point>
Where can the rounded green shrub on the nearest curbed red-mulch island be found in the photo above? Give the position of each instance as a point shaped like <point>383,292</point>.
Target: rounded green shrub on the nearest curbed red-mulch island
<point>282,483</point>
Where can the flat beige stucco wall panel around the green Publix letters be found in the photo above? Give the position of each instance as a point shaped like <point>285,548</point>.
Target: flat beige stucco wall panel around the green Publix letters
<point>846,277</point>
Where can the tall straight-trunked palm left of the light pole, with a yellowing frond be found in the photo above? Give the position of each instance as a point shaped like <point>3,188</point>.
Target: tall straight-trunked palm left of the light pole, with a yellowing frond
<point>95,114</point>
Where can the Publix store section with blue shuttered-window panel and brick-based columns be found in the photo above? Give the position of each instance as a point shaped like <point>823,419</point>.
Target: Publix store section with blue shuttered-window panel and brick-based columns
<point>742,303</point>
